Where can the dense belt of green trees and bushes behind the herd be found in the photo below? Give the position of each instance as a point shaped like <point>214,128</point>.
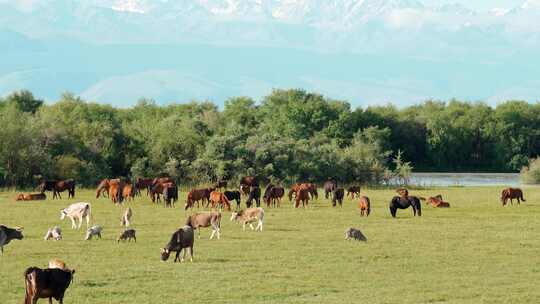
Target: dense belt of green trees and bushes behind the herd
<point>290,135</point>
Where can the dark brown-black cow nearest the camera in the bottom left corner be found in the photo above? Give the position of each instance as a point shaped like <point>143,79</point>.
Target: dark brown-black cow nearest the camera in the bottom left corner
<point>46,283</point>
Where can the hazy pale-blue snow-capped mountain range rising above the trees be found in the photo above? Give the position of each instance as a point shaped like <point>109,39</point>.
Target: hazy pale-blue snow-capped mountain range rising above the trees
<point>363,51</point>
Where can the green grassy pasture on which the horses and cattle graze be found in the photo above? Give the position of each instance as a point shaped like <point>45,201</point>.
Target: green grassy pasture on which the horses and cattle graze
<point>474,252</point>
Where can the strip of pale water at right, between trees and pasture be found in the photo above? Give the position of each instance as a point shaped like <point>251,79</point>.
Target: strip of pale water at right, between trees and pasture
<point>465,179</point>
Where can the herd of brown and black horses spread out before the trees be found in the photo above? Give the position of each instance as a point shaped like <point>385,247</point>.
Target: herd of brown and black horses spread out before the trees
<point>119,190</point>
